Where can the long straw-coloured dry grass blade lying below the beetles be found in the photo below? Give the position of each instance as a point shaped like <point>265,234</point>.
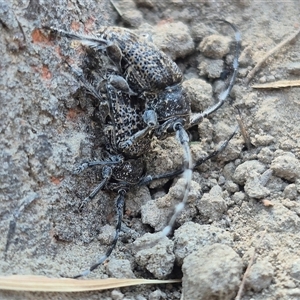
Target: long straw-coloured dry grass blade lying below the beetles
<point>44,284</point>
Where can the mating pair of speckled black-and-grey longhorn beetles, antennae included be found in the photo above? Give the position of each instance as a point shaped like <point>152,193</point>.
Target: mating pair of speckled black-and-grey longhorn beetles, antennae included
<point>144,92</point>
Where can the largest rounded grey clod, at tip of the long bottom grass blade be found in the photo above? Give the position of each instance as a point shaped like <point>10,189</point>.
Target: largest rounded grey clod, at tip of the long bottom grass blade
<point>212,272</point>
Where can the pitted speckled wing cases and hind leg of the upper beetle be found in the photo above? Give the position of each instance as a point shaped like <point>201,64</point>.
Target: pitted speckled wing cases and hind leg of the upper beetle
<point>143,65</point>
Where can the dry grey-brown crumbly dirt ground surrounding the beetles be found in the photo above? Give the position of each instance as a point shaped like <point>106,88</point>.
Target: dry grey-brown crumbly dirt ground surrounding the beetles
<point>244,199</point>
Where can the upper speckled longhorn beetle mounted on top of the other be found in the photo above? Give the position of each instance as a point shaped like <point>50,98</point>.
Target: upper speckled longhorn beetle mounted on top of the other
<point>153,76</point>
